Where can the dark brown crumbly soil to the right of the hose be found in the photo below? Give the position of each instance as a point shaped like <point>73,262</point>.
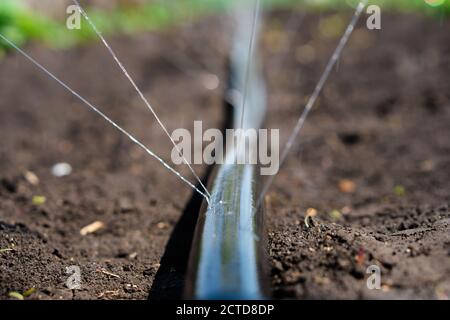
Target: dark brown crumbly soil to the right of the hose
<point>383,124</point>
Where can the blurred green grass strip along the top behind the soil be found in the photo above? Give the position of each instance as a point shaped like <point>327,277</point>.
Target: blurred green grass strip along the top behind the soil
<point>21,25</point>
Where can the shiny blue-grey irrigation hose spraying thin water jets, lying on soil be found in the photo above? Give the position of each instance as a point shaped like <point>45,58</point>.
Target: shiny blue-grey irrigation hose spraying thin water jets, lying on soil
<point>227,256</point>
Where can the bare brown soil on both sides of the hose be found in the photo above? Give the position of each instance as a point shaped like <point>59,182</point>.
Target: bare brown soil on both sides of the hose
<point>373,161</point>
